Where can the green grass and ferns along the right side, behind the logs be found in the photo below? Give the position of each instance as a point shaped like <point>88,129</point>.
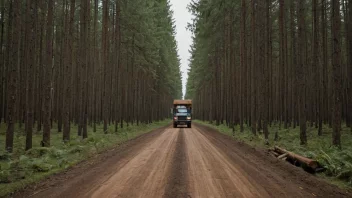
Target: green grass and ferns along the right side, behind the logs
<point>337,162</point>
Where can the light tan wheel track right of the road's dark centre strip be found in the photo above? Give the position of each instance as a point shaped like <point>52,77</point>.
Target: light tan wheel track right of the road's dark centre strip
<point>213,174</point>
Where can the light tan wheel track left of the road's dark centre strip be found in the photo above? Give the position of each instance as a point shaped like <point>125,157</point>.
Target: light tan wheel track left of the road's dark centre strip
<point>145,175</point>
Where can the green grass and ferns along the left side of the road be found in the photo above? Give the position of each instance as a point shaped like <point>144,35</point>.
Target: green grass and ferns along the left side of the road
<point>22,168</point>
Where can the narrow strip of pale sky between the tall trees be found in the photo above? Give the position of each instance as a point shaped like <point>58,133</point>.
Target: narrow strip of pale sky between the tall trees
<point>183,36</point>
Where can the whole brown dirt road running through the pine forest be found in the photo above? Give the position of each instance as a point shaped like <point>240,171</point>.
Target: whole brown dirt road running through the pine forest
<point>182,162</point>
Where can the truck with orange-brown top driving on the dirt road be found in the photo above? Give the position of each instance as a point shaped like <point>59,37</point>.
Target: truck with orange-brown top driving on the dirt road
<point>182,113</point>
